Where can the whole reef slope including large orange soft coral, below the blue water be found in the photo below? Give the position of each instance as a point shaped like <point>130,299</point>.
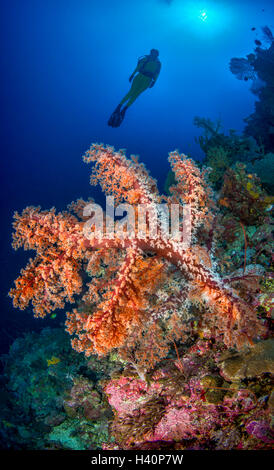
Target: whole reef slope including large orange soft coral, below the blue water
<point>176,338</point>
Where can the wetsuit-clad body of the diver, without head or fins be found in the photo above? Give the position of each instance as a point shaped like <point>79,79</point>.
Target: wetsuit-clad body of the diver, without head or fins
<point>148,71</point>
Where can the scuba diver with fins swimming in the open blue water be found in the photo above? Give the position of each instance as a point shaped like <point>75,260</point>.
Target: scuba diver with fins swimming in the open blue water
<point>148,69</point>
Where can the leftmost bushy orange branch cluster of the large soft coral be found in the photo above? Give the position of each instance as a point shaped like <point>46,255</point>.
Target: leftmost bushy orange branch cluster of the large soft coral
<point>52,278</point>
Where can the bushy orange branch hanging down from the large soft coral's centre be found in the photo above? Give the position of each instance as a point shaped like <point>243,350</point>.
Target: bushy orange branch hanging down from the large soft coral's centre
<point>122,306</point>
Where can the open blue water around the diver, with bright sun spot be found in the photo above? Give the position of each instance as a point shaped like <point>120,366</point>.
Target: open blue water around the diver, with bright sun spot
<point>64,68</point>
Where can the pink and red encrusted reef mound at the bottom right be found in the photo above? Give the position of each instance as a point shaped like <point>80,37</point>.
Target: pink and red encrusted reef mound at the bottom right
<point>191,407</point>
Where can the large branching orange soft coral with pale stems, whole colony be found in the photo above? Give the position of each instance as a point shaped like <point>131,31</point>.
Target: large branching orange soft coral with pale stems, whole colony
<point>122,294</point>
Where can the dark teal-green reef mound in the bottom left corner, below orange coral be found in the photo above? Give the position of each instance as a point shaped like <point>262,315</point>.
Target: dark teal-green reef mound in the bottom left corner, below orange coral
<point>48,404</point>
